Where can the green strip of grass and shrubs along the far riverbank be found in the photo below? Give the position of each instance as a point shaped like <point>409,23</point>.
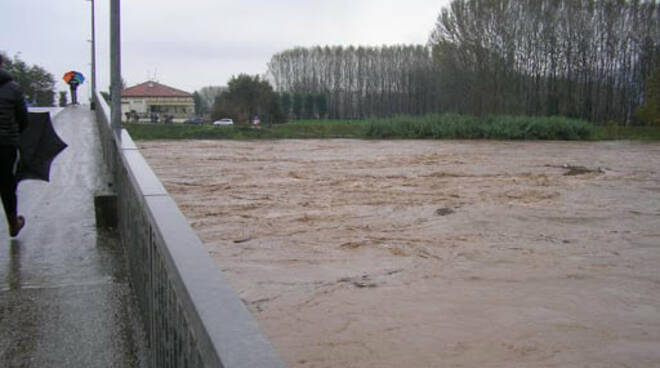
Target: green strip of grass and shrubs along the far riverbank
<point>445,126</point>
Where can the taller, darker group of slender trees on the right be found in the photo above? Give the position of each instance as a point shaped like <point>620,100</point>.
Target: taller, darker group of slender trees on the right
<point>578,58</point>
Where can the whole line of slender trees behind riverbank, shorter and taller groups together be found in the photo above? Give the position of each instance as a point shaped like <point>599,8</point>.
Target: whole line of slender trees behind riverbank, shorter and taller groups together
<point>579,58</point>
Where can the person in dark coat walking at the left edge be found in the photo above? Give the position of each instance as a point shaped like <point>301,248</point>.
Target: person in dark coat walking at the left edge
<point>13,121</point>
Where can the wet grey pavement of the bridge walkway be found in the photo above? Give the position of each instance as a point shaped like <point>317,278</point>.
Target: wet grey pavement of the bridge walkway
<point>64,294</point>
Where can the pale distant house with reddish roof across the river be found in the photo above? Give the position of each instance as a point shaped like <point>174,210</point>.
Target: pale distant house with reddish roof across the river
<point>154,101</point>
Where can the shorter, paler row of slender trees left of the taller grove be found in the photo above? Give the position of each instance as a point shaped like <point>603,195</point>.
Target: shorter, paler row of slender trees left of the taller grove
<point>358,82</point>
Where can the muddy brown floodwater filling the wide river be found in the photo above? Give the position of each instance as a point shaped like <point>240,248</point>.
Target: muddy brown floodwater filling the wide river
<point>431,253</point>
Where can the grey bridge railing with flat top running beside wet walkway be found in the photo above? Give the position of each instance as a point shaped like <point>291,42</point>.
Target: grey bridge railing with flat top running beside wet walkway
<point>192,317</point>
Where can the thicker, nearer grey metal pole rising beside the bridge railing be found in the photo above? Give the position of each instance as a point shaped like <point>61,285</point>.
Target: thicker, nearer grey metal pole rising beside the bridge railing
<point>115,64</point>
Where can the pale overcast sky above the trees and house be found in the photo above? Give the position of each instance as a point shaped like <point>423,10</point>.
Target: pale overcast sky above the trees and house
<point>189,44</point>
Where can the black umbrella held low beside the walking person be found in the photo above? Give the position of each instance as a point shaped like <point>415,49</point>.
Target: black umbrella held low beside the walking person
<point>39,144</point>
